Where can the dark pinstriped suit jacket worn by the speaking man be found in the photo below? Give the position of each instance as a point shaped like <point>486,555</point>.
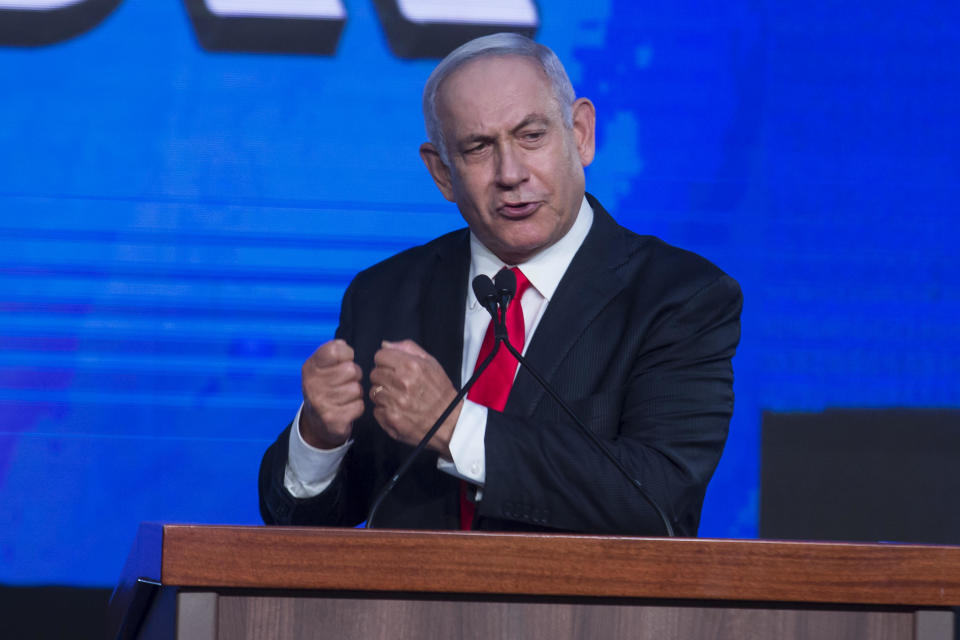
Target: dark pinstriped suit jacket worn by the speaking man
<point>638,339</point>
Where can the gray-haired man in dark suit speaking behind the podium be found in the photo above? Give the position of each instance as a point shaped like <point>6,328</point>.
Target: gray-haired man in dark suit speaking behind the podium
<point>636,335</point>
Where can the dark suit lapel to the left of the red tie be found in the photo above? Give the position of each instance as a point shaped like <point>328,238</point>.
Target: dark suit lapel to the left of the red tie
<point>442,310</point>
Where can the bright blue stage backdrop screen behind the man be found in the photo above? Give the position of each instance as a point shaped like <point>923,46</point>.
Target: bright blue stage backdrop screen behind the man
<point>178,221</point>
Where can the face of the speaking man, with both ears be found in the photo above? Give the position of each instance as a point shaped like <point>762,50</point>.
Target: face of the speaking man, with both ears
<point>516,170</point>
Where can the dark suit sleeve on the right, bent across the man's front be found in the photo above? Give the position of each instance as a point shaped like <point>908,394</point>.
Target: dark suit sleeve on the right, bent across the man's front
<point>671,412</point>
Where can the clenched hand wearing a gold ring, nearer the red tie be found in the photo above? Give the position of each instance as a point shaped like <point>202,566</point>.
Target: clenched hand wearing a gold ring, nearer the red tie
<point>409,390</point>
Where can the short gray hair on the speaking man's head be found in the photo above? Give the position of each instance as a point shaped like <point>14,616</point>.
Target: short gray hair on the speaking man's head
<point>498,44</point>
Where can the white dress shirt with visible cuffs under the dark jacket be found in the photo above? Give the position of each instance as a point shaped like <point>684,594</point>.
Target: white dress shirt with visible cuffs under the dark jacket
<point>310,470</point>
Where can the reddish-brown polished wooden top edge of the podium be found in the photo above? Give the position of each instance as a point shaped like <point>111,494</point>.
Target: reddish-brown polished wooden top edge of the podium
<point>555,565</point>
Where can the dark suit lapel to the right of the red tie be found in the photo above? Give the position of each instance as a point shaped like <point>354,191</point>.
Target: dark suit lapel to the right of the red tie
<point>590,282</point>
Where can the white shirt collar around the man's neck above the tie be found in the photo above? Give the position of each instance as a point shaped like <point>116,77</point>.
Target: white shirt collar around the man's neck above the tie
<point>545,269</point>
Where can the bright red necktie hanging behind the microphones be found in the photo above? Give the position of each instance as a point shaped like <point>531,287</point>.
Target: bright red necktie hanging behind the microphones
<point>493,387</point>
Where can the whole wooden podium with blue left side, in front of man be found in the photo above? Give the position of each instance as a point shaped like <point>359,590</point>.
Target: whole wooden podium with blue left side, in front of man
<point>206,582</point>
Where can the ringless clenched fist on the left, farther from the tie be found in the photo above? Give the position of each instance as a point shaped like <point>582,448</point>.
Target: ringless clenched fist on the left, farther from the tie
<point>332,395</point>
